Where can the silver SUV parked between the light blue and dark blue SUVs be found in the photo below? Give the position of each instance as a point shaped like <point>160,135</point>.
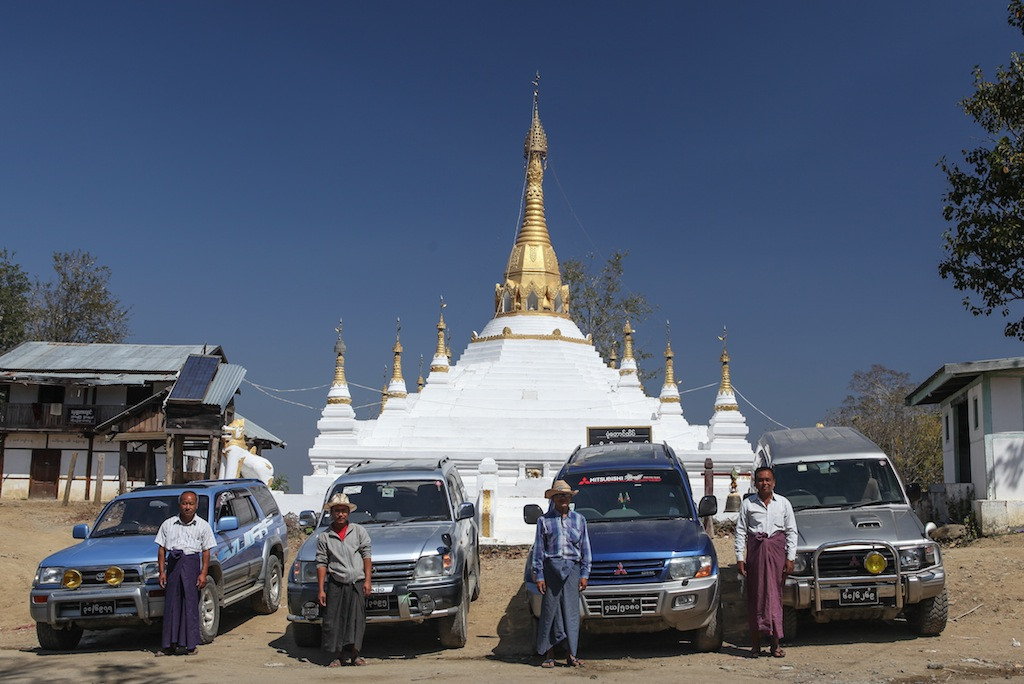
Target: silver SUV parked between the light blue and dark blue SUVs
<point>426,563</point>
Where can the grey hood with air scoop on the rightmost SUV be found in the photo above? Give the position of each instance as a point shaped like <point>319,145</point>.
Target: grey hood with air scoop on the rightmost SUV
<point>882,524</point>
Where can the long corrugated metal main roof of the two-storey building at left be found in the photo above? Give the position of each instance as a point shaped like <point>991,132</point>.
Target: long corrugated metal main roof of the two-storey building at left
<point>64,358</point>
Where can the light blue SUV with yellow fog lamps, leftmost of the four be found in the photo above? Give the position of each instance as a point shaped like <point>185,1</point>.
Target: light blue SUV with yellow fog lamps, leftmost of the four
<point>111,579</point>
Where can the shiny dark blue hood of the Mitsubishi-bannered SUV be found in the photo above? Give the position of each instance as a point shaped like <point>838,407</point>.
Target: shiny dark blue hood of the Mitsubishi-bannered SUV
<point>641,539</point>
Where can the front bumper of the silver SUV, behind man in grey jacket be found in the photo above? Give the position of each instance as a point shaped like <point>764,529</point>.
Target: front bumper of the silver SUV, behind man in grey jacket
<point>404,604</point>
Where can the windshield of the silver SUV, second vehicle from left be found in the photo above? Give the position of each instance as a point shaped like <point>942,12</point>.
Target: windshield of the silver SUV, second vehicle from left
<point>397,501</point>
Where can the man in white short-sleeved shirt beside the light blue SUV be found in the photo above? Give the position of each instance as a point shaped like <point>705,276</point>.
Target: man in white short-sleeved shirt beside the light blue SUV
<point>184,560</point>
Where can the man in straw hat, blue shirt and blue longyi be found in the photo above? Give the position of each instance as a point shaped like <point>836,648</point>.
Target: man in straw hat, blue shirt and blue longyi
<point>561,566</point>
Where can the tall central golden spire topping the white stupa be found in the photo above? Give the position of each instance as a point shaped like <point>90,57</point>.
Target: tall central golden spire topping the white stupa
<point>533,281</point>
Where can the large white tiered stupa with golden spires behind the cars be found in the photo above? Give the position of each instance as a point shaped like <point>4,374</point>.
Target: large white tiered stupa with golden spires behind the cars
<point>529,390</point>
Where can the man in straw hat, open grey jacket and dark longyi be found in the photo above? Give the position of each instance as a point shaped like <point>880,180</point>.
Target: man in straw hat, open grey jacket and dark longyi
<point>344,570</point>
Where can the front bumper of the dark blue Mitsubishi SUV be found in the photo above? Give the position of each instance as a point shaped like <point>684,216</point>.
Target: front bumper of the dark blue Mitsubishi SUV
<point>677,605</point>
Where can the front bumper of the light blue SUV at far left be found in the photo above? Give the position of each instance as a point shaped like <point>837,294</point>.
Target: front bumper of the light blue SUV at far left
<point>109,608</point>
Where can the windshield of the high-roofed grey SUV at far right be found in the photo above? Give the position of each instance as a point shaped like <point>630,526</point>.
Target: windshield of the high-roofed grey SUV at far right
<point>840,484</point>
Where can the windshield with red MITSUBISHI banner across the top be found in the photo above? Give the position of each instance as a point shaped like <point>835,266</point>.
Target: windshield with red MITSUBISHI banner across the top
<point>611,496</point>
